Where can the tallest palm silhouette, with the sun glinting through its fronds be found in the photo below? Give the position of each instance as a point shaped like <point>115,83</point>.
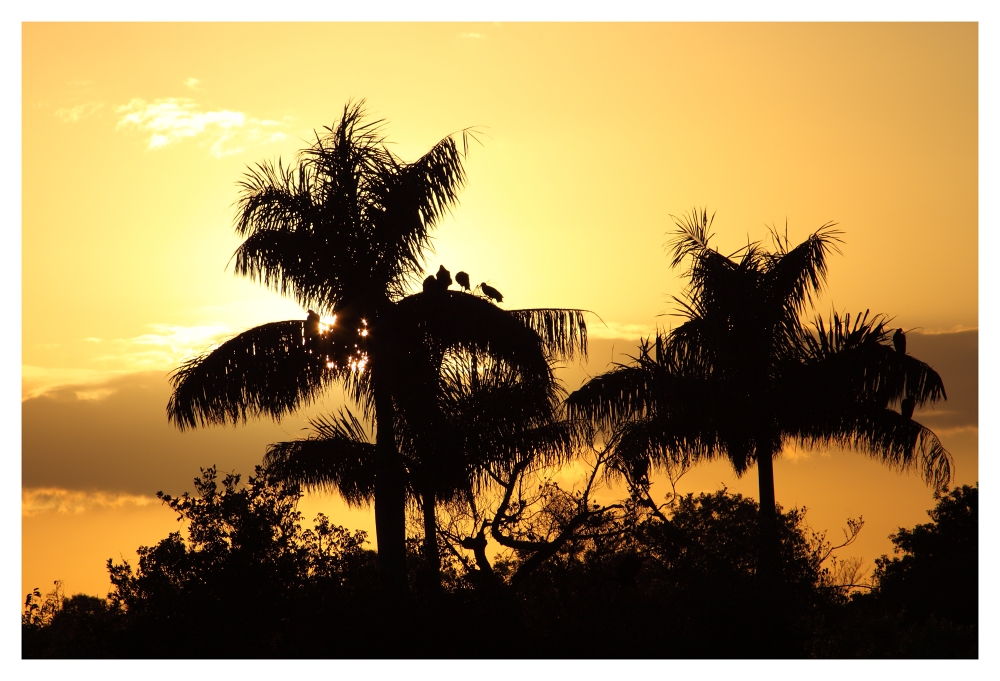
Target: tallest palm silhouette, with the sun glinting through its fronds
<point>345,231</point>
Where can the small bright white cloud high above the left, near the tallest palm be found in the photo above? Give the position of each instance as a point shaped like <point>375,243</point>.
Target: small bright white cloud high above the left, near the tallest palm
<point>174,119</point>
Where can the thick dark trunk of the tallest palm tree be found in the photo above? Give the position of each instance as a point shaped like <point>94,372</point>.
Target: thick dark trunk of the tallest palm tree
<point>390,493</point>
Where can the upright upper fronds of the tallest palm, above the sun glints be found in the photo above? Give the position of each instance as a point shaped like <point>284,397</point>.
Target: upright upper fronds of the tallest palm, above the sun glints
<point>349,219</point>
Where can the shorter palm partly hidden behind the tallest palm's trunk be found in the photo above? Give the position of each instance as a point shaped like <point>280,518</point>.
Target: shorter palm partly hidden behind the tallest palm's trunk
<point>484,415</point>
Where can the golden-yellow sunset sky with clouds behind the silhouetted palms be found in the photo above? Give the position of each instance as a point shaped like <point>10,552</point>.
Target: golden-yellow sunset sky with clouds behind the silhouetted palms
<point>593,135</point>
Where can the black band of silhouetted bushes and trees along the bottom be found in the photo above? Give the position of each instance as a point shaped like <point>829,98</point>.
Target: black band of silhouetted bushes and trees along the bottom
<point>248,582</point>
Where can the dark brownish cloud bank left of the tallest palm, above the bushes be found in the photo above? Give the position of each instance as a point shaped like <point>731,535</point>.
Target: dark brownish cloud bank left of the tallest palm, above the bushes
<point>123,442</point>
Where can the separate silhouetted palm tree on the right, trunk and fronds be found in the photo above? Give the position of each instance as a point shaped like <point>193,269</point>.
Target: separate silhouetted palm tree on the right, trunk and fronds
<point>743,376</point>
